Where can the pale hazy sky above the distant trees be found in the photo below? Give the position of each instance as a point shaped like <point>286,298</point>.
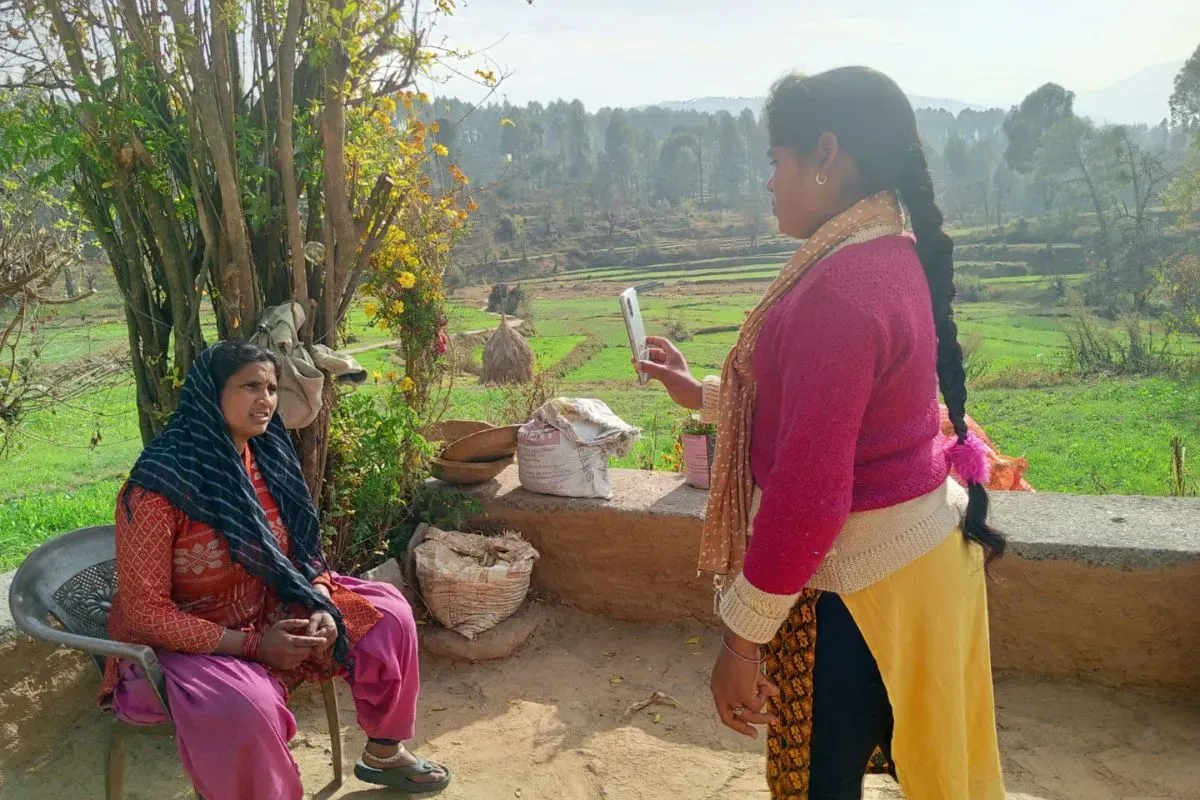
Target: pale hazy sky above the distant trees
<point>638,52</point>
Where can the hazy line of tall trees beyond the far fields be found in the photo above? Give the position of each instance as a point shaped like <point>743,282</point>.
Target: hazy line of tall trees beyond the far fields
<point>560,175</point>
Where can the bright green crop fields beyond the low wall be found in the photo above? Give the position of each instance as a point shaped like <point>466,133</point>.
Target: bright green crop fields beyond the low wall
<point>1083,437</point>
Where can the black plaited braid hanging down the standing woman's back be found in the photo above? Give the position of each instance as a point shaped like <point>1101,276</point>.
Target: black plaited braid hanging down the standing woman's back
<point>937,252</point>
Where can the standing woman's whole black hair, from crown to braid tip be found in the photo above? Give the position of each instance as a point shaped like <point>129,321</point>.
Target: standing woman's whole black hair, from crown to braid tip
<point>874,123</point>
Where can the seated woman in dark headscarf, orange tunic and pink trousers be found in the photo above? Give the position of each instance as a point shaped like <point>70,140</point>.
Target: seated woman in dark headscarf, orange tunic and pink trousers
<point>220,569</point>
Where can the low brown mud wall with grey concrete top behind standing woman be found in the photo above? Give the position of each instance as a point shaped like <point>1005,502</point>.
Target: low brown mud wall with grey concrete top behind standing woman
<point>1105,590</point>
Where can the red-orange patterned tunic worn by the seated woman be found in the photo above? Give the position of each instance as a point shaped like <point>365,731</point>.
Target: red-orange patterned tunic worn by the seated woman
<point>179,590</point>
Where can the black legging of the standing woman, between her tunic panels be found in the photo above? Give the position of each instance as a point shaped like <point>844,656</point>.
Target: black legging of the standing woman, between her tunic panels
<point>851,713</point>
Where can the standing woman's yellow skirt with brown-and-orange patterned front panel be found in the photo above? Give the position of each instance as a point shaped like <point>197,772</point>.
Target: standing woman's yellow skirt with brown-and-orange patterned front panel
<point>927,628</point>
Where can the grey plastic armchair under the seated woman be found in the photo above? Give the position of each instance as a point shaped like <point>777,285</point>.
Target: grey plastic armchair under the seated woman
<point>71,580</point>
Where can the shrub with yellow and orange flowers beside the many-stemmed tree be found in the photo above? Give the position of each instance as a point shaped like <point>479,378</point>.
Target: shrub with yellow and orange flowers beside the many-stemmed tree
<point>379,458</point>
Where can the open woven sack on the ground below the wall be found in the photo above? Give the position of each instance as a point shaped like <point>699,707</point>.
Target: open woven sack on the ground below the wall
<point>470,582</point>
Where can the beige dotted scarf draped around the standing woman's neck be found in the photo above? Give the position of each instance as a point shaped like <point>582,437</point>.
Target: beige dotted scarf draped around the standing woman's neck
<point>728,520</point>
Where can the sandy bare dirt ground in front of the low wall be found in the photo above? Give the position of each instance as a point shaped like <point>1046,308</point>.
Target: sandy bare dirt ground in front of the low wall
<point>551,724</point>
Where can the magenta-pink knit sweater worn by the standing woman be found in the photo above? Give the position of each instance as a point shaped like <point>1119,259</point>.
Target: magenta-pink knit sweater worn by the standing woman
<point>847,417</point>
